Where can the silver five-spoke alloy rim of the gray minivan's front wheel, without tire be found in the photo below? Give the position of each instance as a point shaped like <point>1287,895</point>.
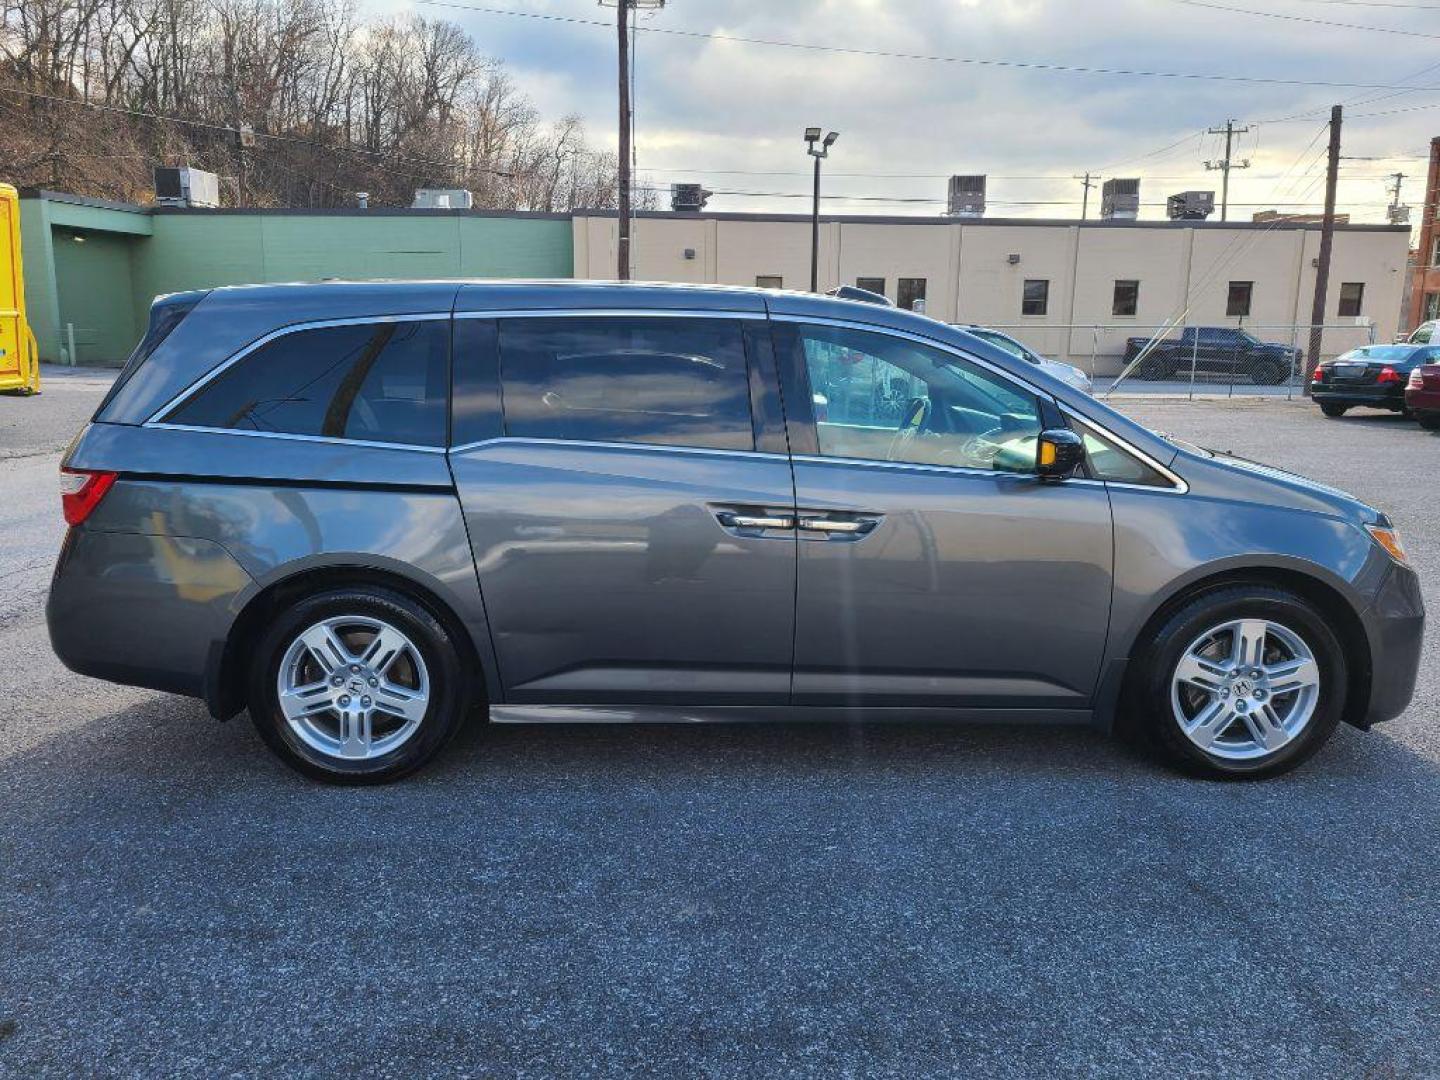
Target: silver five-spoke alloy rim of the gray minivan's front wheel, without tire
<point>1245,689</point>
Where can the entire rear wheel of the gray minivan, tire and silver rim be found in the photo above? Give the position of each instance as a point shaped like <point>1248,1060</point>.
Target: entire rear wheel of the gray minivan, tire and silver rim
<point>356,686</point>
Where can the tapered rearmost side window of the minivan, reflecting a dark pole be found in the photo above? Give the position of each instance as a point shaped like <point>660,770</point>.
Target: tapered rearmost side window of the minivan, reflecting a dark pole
<point>379,382</point>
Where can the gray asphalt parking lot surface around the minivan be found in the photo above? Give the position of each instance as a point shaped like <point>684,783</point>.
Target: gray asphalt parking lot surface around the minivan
<point>711,902</point>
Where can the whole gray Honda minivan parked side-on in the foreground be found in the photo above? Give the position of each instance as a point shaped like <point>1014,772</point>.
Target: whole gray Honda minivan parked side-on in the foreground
<point>364,512</point>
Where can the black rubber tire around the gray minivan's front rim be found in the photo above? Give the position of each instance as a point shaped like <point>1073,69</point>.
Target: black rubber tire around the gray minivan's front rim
<point>1150,705</point>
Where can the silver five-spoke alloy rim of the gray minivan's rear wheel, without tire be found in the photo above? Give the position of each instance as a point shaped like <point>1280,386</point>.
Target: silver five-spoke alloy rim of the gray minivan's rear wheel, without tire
<point>354,688</point>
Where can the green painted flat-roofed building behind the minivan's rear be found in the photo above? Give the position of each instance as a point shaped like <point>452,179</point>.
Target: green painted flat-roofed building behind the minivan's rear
<point>93,267</point>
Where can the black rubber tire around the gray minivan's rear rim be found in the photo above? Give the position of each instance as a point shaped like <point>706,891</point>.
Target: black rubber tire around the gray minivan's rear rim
<point>444,678</point>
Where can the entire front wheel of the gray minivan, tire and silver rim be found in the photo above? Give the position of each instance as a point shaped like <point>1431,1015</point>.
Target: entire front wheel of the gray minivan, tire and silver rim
<point>1243,682</point>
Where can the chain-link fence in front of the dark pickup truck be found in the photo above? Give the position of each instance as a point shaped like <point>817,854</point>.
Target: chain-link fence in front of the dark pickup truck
<point>1194,361</point>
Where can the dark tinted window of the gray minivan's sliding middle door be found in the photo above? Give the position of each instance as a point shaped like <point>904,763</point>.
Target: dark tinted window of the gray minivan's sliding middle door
<point>678,382</point>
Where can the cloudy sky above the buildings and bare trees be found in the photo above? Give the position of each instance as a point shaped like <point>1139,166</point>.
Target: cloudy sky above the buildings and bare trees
<point>731,114</point>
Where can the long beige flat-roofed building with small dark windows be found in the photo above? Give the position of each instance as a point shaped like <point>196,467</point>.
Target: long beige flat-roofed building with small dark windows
<point>1069,290</point>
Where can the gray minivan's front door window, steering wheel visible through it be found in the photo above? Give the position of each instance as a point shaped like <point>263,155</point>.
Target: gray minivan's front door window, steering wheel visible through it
<point>879,398</point>
